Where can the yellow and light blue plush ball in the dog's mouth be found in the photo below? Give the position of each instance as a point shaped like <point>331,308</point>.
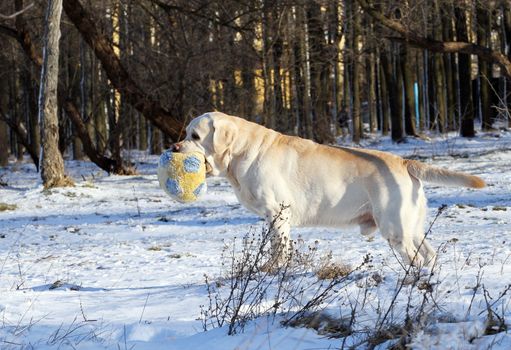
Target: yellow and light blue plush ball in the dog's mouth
<point>182,175</point>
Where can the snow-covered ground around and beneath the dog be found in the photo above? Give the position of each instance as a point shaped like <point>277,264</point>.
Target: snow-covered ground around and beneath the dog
<point>114,263</point>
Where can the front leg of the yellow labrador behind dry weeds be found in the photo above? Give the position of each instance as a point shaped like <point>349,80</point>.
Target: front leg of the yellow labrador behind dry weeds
<point>279,228</point>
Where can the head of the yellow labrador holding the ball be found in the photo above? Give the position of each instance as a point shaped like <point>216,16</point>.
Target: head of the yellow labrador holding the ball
<point>213,135</point>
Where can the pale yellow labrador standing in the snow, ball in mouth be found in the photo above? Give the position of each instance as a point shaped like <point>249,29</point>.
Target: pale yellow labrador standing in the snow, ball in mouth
<point>320,185</point>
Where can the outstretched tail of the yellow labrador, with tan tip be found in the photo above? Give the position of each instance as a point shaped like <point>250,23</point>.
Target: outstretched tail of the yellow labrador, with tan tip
<point>441,176</point>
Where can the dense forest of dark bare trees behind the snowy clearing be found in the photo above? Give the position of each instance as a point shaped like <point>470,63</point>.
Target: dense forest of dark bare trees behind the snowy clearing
<point>131,74</point>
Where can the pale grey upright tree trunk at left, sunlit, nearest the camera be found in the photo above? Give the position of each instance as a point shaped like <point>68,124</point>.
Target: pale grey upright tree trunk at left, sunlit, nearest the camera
<point>52,164</point>
